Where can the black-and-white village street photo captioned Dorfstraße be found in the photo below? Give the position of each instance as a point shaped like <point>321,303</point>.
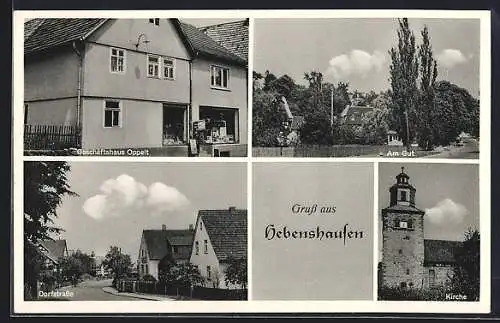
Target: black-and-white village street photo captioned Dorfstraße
<point>134,231</point>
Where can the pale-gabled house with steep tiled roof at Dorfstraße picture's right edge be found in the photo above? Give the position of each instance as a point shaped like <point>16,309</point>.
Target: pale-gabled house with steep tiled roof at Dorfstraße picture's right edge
<point>219,236</point>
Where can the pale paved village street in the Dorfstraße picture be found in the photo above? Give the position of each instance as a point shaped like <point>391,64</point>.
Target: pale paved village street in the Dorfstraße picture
<point>91,290</point>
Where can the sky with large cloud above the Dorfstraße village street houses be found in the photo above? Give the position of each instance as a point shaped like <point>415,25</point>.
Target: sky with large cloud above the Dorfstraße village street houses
<point>118,200</point>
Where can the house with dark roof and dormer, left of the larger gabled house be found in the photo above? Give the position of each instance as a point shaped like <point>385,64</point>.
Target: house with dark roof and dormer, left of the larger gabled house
<point>161,247</point>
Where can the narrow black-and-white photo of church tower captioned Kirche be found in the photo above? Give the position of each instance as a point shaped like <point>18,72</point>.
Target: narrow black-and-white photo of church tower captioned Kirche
<point>429,232</point>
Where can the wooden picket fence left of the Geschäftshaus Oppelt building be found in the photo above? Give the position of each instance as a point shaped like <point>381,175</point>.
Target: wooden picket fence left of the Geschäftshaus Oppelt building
<point>51,137</point>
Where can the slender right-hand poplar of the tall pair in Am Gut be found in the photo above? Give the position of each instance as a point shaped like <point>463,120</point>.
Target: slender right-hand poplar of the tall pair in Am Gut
<point>426,110</point>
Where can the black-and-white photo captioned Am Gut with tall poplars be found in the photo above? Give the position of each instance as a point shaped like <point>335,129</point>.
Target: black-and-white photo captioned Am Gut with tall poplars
<point>368,87</point>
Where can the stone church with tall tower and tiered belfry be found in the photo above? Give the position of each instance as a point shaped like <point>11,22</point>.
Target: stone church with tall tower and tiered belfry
<point>408,259</point>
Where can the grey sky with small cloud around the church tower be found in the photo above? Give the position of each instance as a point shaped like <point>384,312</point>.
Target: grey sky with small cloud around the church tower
<point>451,202</point>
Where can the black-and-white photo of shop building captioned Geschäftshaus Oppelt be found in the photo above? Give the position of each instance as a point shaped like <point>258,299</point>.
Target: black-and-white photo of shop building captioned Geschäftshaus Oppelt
<point>136,87</point>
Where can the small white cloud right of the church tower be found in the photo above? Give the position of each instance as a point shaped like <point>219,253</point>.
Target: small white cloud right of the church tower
<point>446,212</point>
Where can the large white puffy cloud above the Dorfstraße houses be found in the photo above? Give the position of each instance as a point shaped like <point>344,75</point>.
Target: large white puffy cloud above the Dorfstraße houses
<point>124,195</point>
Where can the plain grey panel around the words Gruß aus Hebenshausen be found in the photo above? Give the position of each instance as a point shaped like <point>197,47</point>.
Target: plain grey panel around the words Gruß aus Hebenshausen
<point>312,269</point>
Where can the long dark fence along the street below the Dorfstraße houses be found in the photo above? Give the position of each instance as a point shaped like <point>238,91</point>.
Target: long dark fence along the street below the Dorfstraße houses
<point>197,292</point>
